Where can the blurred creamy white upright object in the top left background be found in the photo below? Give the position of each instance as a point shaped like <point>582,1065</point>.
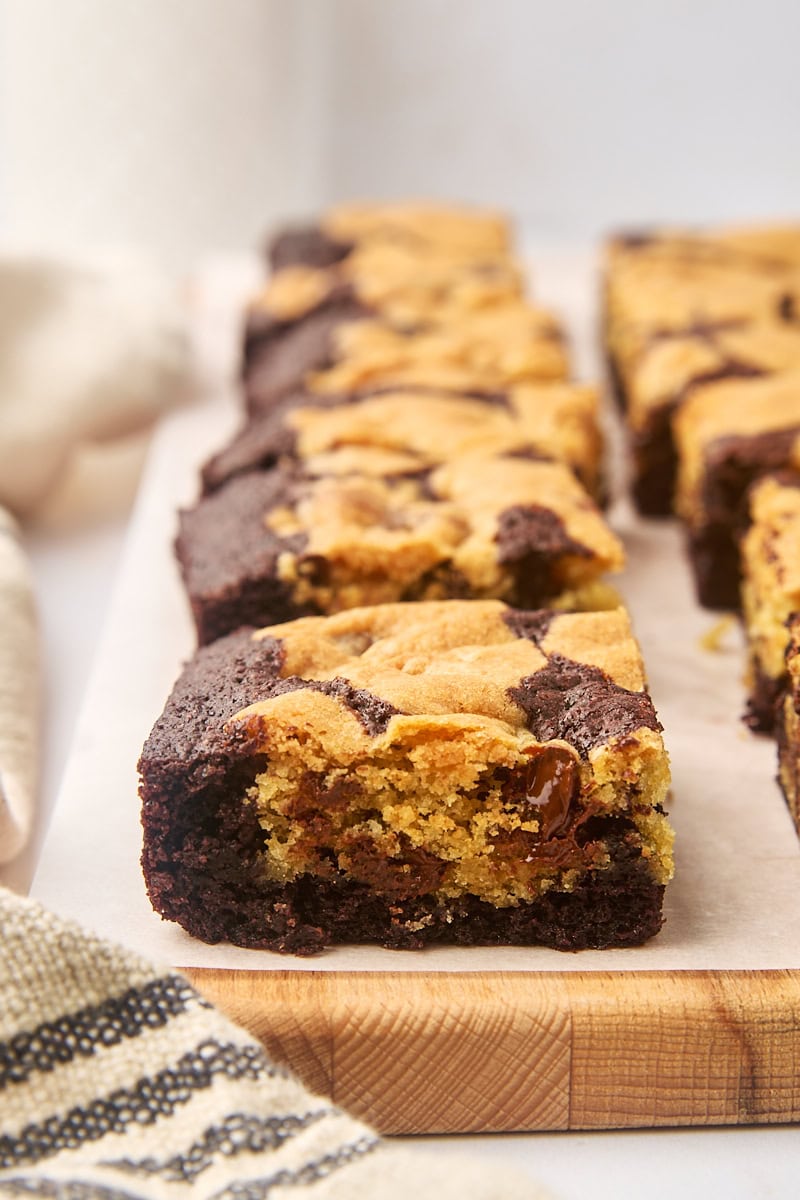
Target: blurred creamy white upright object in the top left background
<point>183,127</point>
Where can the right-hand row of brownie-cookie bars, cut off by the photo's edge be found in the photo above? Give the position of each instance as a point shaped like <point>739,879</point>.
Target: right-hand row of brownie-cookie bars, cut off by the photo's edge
<point>703,337</point>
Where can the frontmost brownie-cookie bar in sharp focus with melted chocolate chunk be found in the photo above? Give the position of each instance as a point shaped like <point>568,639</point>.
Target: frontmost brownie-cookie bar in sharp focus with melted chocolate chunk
<point>412,775</point>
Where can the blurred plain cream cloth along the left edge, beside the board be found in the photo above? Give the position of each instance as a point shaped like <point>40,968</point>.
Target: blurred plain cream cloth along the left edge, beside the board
<point>88,355</point>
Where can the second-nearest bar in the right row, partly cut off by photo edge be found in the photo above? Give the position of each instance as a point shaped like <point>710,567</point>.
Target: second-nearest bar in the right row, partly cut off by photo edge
<point>771,591</point>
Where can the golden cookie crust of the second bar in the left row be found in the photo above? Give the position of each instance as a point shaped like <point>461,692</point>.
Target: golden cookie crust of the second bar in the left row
<point>478,519</point>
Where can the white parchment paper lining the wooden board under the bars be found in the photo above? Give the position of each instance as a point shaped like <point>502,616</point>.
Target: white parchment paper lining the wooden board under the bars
<point>736,899</point>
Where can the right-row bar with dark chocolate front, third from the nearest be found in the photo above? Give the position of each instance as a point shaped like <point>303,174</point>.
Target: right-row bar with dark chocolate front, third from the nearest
<point>729,435</point>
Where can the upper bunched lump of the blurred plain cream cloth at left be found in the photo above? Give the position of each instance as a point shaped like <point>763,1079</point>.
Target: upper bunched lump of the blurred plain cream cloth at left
<point>87,355</point>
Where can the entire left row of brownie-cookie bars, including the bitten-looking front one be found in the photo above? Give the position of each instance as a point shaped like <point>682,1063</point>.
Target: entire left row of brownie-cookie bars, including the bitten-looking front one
<point>443,734</point>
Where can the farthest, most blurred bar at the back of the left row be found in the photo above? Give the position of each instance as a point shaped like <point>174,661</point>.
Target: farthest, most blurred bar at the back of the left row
<point>339,231</point>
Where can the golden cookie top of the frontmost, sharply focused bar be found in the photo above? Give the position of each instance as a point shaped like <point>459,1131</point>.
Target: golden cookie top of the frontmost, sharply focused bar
<point>465,665</point>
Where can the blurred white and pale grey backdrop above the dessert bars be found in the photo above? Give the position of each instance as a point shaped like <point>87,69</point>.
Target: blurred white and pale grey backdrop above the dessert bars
<point>184,125</point>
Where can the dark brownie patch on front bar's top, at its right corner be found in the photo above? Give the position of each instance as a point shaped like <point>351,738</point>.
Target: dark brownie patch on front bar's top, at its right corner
<point>581,705</point>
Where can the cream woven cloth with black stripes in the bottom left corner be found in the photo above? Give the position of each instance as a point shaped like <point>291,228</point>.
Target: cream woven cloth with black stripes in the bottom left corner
<point>118,1082</point>
